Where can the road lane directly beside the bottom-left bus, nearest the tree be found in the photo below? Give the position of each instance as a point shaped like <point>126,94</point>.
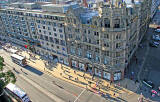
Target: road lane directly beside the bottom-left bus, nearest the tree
<point>34,94</point>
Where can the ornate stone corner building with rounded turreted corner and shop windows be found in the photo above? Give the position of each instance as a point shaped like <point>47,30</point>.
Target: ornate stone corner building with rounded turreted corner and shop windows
<point>102,41</point>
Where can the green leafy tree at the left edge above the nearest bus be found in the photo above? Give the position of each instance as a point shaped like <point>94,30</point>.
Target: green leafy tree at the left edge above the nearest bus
<point>5,77</point>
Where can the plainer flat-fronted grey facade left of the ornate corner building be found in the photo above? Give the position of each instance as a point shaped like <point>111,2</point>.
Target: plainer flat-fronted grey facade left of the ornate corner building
<point>42,31</point>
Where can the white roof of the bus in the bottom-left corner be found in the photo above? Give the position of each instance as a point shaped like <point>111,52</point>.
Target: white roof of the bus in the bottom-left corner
<point>16,90</point>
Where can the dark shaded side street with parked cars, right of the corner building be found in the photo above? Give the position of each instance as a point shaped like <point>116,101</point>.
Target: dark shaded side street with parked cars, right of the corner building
<point>147,65</point>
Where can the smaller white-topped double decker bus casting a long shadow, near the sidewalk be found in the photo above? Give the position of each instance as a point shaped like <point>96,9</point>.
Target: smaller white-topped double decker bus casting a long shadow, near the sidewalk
<point>18,59</point>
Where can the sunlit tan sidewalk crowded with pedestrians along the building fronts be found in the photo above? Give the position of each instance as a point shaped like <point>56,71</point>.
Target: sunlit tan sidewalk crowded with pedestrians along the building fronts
<point>84,80</point>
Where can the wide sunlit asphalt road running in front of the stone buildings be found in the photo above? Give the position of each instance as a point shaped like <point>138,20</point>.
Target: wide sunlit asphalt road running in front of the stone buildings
<point>61,89</point>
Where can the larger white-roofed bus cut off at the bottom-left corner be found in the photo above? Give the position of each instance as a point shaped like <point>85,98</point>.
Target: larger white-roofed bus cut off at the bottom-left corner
<point>16,93</point>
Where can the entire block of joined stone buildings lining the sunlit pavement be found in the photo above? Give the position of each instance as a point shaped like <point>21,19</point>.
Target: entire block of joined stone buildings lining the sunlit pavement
<point>100,41</point>
